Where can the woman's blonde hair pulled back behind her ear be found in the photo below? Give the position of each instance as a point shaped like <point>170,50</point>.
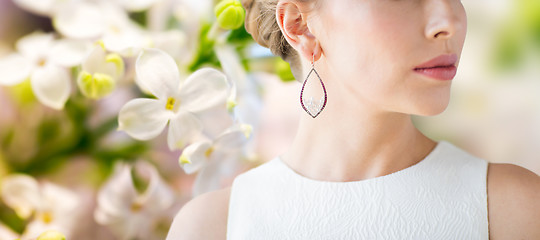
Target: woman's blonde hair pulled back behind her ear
<point>261,23</point>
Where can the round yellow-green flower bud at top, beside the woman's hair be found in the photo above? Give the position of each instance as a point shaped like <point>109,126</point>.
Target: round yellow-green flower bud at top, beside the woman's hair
<point>230,14</point>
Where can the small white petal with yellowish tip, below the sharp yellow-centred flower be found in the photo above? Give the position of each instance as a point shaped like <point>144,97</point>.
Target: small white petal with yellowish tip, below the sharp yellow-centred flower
<point>194,157</point>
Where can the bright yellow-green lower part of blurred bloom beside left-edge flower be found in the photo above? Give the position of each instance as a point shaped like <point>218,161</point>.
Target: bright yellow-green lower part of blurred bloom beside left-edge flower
<point>95,86</point>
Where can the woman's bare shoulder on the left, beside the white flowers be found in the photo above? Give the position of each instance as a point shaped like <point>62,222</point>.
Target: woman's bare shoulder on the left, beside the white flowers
<point>203,217</point>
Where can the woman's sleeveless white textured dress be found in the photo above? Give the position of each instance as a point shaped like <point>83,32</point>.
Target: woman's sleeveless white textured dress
<point>444,196</point>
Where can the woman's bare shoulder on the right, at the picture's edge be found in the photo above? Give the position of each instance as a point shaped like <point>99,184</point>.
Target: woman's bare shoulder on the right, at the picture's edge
<point>513,202</point>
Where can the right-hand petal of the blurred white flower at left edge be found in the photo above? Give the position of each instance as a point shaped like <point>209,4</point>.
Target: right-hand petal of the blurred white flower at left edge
<point>69,52</point>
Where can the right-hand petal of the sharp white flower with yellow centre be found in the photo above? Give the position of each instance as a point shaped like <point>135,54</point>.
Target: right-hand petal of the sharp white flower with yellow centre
<point>204,89</point>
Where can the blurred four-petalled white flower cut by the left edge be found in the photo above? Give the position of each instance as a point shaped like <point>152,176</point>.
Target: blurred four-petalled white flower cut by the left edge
<point>43,59</point>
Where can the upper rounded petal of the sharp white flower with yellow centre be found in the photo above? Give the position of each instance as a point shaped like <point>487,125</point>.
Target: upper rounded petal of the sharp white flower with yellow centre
<point>158,73</point>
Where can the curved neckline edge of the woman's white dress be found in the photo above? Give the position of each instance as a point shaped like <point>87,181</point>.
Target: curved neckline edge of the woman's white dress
<point>431,155</point>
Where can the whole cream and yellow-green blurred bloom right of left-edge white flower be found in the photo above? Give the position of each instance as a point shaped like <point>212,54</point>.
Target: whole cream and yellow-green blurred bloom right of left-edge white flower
<point>100,72</point>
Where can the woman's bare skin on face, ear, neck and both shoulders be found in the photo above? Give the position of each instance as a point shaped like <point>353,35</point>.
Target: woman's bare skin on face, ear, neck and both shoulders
<point>365,52</point>
